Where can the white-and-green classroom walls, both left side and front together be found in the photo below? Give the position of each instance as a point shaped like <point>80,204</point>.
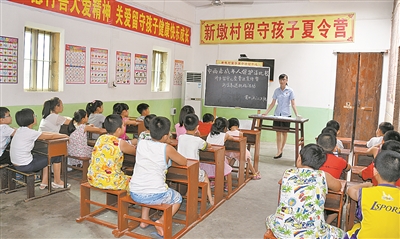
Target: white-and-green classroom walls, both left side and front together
<point>311,67</point>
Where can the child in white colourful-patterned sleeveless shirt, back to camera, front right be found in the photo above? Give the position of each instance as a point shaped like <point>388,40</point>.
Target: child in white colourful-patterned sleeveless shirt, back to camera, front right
<point>300,213</point>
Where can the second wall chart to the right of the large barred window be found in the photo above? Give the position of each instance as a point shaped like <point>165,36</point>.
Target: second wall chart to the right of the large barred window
<point>98,66</point>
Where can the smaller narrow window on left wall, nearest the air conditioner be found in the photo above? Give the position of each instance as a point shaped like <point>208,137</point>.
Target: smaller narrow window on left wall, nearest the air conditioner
<point>159,79</point>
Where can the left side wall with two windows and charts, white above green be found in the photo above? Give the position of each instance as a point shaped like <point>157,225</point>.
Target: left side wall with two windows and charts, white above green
<point>14,17</point>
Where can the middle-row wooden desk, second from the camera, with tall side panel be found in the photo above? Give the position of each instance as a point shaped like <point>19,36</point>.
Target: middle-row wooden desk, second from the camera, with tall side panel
<point>216,155</point>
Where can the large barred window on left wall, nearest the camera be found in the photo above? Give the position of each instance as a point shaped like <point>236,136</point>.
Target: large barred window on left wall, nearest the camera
<point>41,65</point>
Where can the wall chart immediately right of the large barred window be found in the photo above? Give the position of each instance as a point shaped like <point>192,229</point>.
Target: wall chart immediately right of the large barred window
<point>75,64</point>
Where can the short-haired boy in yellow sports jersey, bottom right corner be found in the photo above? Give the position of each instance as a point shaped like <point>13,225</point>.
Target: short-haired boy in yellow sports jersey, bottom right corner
<point>378,206</point>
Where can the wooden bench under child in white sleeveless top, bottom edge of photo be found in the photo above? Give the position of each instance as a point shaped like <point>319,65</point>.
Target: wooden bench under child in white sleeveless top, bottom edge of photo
<point>125,228</point>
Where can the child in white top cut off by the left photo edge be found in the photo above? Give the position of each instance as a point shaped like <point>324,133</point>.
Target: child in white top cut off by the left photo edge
<point>5,134</point>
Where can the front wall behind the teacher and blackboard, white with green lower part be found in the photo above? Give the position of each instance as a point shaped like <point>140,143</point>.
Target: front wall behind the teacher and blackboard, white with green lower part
<point>311,67</point>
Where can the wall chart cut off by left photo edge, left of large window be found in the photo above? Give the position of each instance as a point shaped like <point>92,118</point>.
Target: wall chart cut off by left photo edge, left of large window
<point>8,60</point>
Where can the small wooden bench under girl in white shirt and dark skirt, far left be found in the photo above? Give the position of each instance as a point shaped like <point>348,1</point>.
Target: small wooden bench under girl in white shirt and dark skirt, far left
<point>28,182</point>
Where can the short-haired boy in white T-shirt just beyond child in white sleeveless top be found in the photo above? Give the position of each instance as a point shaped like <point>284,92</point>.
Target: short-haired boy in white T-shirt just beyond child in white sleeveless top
<point>189,146</point>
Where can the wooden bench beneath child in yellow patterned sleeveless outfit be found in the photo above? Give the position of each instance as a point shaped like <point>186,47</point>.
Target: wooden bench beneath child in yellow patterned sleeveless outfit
<point>112,199</point>
